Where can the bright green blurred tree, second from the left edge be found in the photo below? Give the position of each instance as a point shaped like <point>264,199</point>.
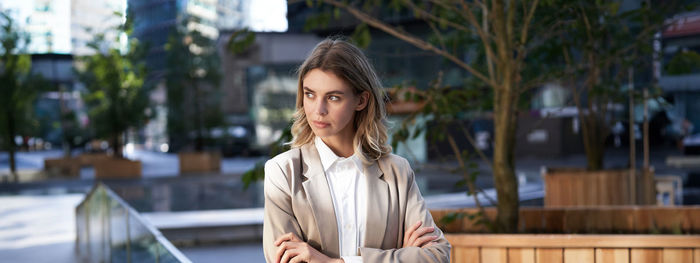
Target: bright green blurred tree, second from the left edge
<point>117,98</point>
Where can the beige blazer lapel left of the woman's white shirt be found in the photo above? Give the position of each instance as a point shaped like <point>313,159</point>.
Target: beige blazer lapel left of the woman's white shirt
<point>319,196</point>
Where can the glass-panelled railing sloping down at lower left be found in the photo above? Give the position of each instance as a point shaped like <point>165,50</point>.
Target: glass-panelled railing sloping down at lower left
<point>109,230</point>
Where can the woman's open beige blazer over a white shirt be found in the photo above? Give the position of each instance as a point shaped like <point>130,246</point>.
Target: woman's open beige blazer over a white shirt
<point>298,200</point>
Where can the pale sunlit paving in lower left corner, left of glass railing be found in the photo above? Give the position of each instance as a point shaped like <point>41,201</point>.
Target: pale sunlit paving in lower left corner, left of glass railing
<point>38,228</point>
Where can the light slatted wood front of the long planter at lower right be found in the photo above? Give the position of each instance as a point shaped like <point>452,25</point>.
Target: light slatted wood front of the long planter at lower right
<point>565,248</point>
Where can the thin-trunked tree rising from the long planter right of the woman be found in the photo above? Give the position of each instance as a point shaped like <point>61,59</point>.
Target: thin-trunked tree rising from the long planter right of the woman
<point>505,41</point>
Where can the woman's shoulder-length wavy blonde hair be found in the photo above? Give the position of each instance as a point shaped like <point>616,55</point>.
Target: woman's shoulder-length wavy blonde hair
<point>348,63</point>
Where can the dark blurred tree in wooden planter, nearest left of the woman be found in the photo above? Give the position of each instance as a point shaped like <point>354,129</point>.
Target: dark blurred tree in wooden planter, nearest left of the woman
<point>192,79</point>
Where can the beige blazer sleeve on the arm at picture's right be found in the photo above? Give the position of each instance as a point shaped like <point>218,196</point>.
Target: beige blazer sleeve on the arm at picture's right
<point>438,251</point>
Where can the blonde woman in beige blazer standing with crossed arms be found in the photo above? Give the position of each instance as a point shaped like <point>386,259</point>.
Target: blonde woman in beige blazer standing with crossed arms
<point>339,194</point>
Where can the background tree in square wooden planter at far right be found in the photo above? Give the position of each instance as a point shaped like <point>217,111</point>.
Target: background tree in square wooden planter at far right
<point>599,46</point>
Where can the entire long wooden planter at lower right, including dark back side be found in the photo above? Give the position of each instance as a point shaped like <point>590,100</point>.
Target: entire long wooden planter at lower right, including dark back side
<point>470,243</point>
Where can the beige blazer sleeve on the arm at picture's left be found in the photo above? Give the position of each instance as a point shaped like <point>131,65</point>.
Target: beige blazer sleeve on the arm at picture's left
<point>279,217</point>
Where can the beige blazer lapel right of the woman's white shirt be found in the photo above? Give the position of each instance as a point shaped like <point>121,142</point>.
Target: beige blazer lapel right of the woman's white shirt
<point>377,206</point>
